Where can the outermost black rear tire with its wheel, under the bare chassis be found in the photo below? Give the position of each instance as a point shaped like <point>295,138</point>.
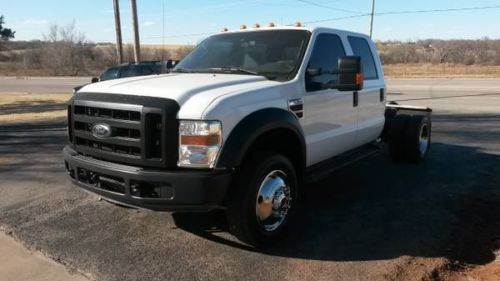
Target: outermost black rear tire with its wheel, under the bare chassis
<point>417,138</point>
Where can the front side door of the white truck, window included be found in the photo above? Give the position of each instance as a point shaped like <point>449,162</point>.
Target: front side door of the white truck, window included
<point>329,115</point>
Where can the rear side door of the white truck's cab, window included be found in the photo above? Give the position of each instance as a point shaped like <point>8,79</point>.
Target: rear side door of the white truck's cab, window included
<point>371,100</point>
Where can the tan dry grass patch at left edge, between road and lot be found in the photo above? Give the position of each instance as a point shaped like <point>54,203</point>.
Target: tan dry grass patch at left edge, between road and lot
<point>35,102</point>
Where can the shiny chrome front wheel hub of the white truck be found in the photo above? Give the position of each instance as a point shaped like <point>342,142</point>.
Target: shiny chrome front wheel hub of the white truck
<point>273,200</point>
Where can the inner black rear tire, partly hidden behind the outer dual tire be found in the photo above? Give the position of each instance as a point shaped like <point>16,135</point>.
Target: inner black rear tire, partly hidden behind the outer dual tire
<point>397,137</point>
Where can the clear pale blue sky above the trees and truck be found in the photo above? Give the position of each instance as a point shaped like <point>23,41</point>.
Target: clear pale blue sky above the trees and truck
<point>189,21</point>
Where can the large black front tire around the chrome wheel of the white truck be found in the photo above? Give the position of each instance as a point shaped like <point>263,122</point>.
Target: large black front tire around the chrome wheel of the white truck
<point>242,205</point>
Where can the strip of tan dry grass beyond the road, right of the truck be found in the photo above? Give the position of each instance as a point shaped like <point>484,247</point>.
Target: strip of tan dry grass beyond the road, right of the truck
<point>441,70</point>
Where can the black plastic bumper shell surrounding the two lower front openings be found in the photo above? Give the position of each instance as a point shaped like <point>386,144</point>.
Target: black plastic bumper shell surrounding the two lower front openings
<point>192,190</point>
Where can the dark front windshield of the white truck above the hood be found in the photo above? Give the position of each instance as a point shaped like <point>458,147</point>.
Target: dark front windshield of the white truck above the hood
<point>275,54</point>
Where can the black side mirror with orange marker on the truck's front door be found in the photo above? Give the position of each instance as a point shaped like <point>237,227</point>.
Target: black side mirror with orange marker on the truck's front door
<point>350,74</point>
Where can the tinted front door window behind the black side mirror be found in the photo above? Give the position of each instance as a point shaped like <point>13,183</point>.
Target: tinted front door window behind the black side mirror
<point>325,55</point>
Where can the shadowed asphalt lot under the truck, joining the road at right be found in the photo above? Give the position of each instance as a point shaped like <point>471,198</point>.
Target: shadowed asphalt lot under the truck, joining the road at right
<point>373,220</point>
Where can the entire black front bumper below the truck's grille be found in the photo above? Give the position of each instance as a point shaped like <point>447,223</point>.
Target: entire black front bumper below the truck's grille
<point>161,190</point>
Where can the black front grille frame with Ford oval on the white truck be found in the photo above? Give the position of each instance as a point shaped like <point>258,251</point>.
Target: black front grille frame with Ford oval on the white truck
<point>167,108</point>
